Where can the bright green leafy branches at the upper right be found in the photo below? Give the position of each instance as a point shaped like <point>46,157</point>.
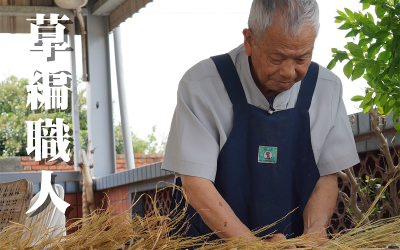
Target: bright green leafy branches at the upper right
<point>374,55</point>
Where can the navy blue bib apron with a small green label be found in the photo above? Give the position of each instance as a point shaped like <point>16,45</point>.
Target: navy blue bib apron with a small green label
<point>266,168</point>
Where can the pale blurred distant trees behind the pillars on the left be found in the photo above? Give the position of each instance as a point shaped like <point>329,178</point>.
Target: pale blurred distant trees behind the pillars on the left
<point>14,114</point>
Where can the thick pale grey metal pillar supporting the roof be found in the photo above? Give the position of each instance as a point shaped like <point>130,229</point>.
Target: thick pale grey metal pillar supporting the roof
<point>99,99</point>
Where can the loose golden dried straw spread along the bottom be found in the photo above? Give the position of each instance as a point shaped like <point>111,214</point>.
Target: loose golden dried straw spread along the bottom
<point>102,230</point>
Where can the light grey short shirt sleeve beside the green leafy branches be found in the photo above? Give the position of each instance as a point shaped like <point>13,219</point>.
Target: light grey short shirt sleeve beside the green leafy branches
<point>339,151</point>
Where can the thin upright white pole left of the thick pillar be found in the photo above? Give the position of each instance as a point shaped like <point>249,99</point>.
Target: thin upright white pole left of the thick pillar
<point>74,99</point>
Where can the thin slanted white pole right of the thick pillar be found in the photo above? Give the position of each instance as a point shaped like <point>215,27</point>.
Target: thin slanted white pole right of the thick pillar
<point>126,133</point>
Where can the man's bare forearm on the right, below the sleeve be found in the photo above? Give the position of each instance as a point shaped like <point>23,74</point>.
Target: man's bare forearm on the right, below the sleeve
<point>321,204</point>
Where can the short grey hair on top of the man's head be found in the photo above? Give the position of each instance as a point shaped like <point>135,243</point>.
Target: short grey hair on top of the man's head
<point>295,14</point>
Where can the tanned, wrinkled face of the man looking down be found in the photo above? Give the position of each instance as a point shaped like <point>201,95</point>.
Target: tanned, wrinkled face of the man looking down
<point>278,60</point>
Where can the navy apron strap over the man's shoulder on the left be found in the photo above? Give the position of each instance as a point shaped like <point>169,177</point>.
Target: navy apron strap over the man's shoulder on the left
<point>227,70</point>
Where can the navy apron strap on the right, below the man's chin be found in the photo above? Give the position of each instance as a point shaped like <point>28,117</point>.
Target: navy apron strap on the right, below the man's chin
<point>307,87</point>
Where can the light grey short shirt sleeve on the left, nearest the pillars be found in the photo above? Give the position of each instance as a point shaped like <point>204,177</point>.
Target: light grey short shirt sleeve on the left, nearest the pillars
<point>192,147</point>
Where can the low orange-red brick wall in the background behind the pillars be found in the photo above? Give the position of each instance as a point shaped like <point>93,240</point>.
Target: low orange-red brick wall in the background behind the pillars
<point>30,165</point>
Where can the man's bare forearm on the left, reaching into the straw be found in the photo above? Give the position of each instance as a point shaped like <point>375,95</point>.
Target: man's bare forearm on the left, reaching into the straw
<point>212,207</point>
